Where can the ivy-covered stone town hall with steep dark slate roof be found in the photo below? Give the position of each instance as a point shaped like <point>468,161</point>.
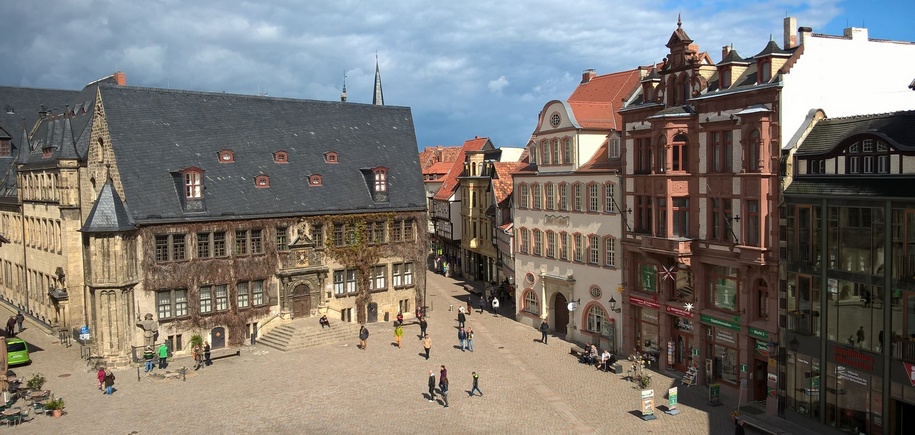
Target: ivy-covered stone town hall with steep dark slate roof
<point>207,213</point>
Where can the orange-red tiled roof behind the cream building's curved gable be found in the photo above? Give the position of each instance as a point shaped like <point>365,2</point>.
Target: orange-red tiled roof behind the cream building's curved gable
<point>596,102</point>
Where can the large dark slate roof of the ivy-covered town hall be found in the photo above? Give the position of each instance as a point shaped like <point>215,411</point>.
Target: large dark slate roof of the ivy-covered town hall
<point>155,133</point>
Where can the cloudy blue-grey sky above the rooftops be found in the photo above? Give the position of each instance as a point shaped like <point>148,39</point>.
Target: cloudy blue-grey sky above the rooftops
<point>469,68</point>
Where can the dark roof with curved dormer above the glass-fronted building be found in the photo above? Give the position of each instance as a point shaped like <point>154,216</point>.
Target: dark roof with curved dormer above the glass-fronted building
<point>897,128</point>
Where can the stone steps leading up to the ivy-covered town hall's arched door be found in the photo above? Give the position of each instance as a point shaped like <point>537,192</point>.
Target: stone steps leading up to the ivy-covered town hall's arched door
<point>307,332</point>
